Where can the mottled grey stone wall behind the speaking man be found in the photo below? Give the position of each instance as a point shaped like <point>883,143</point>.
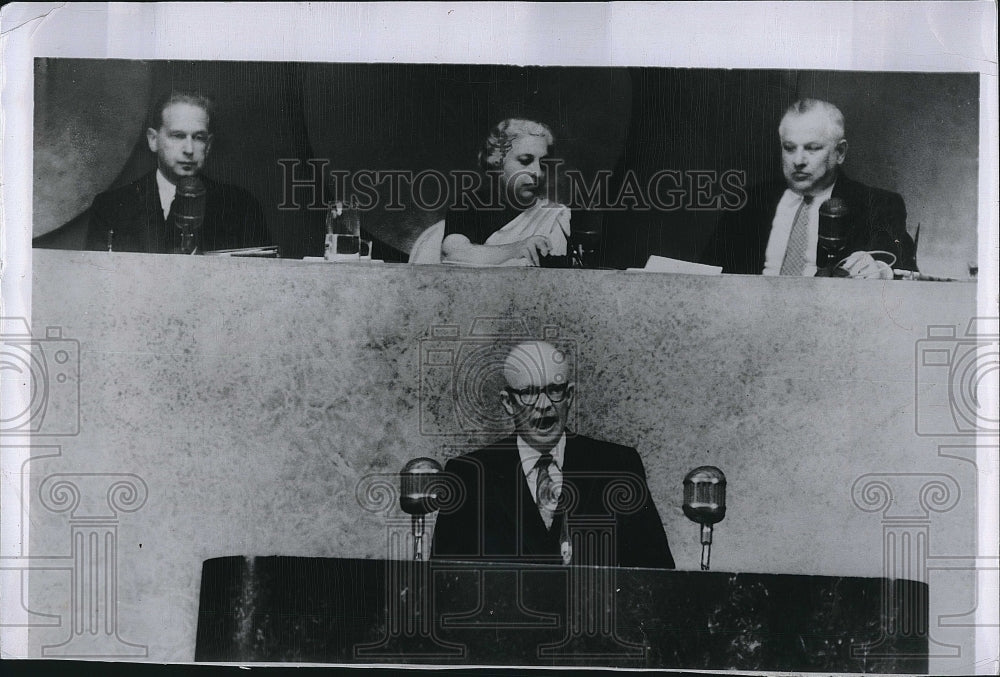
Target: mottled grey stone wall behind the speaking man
<point>252,396</point>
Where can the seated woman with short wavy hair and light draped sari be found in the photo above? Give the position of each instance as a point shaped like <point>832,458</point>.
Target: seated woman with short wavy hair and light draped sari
<point>515,224</point>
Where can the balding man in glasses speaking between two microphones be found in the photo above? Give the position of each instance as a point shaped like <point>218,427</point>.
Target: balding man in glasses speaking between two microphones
<point>529,498</point>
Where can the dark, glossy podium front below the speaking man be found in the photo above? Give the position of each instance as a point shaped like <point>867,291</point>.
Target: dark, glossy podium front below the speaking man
<point>451,613</point>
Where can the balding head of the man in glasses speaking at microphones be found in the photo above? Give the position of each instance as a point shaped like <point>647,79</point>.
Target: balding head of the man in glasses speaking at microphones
<point>539,392</point>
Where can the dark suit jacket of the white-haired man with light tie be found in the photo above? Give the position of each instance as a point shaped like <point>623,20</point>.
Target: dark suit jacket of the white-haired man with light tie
<point>877,220</point>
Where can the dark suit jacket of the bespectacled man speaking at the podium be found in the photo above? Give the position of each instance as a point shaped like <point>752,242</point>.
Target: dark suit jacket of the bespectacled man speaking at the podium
<point>604,486</point>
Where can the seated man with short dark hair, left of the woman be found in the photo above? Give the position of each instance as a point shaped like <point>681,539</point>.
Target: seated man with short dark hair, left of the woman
<point>138,217</point>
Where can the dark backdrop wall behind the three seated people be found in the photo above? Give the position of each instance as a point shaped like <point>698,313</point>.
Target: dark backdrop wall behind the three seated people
<point>914,133</point>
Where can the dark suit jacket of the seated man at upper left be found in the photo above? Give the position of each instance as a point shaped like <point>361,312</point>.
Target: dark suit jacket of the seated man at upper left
<point>233,219</point>
